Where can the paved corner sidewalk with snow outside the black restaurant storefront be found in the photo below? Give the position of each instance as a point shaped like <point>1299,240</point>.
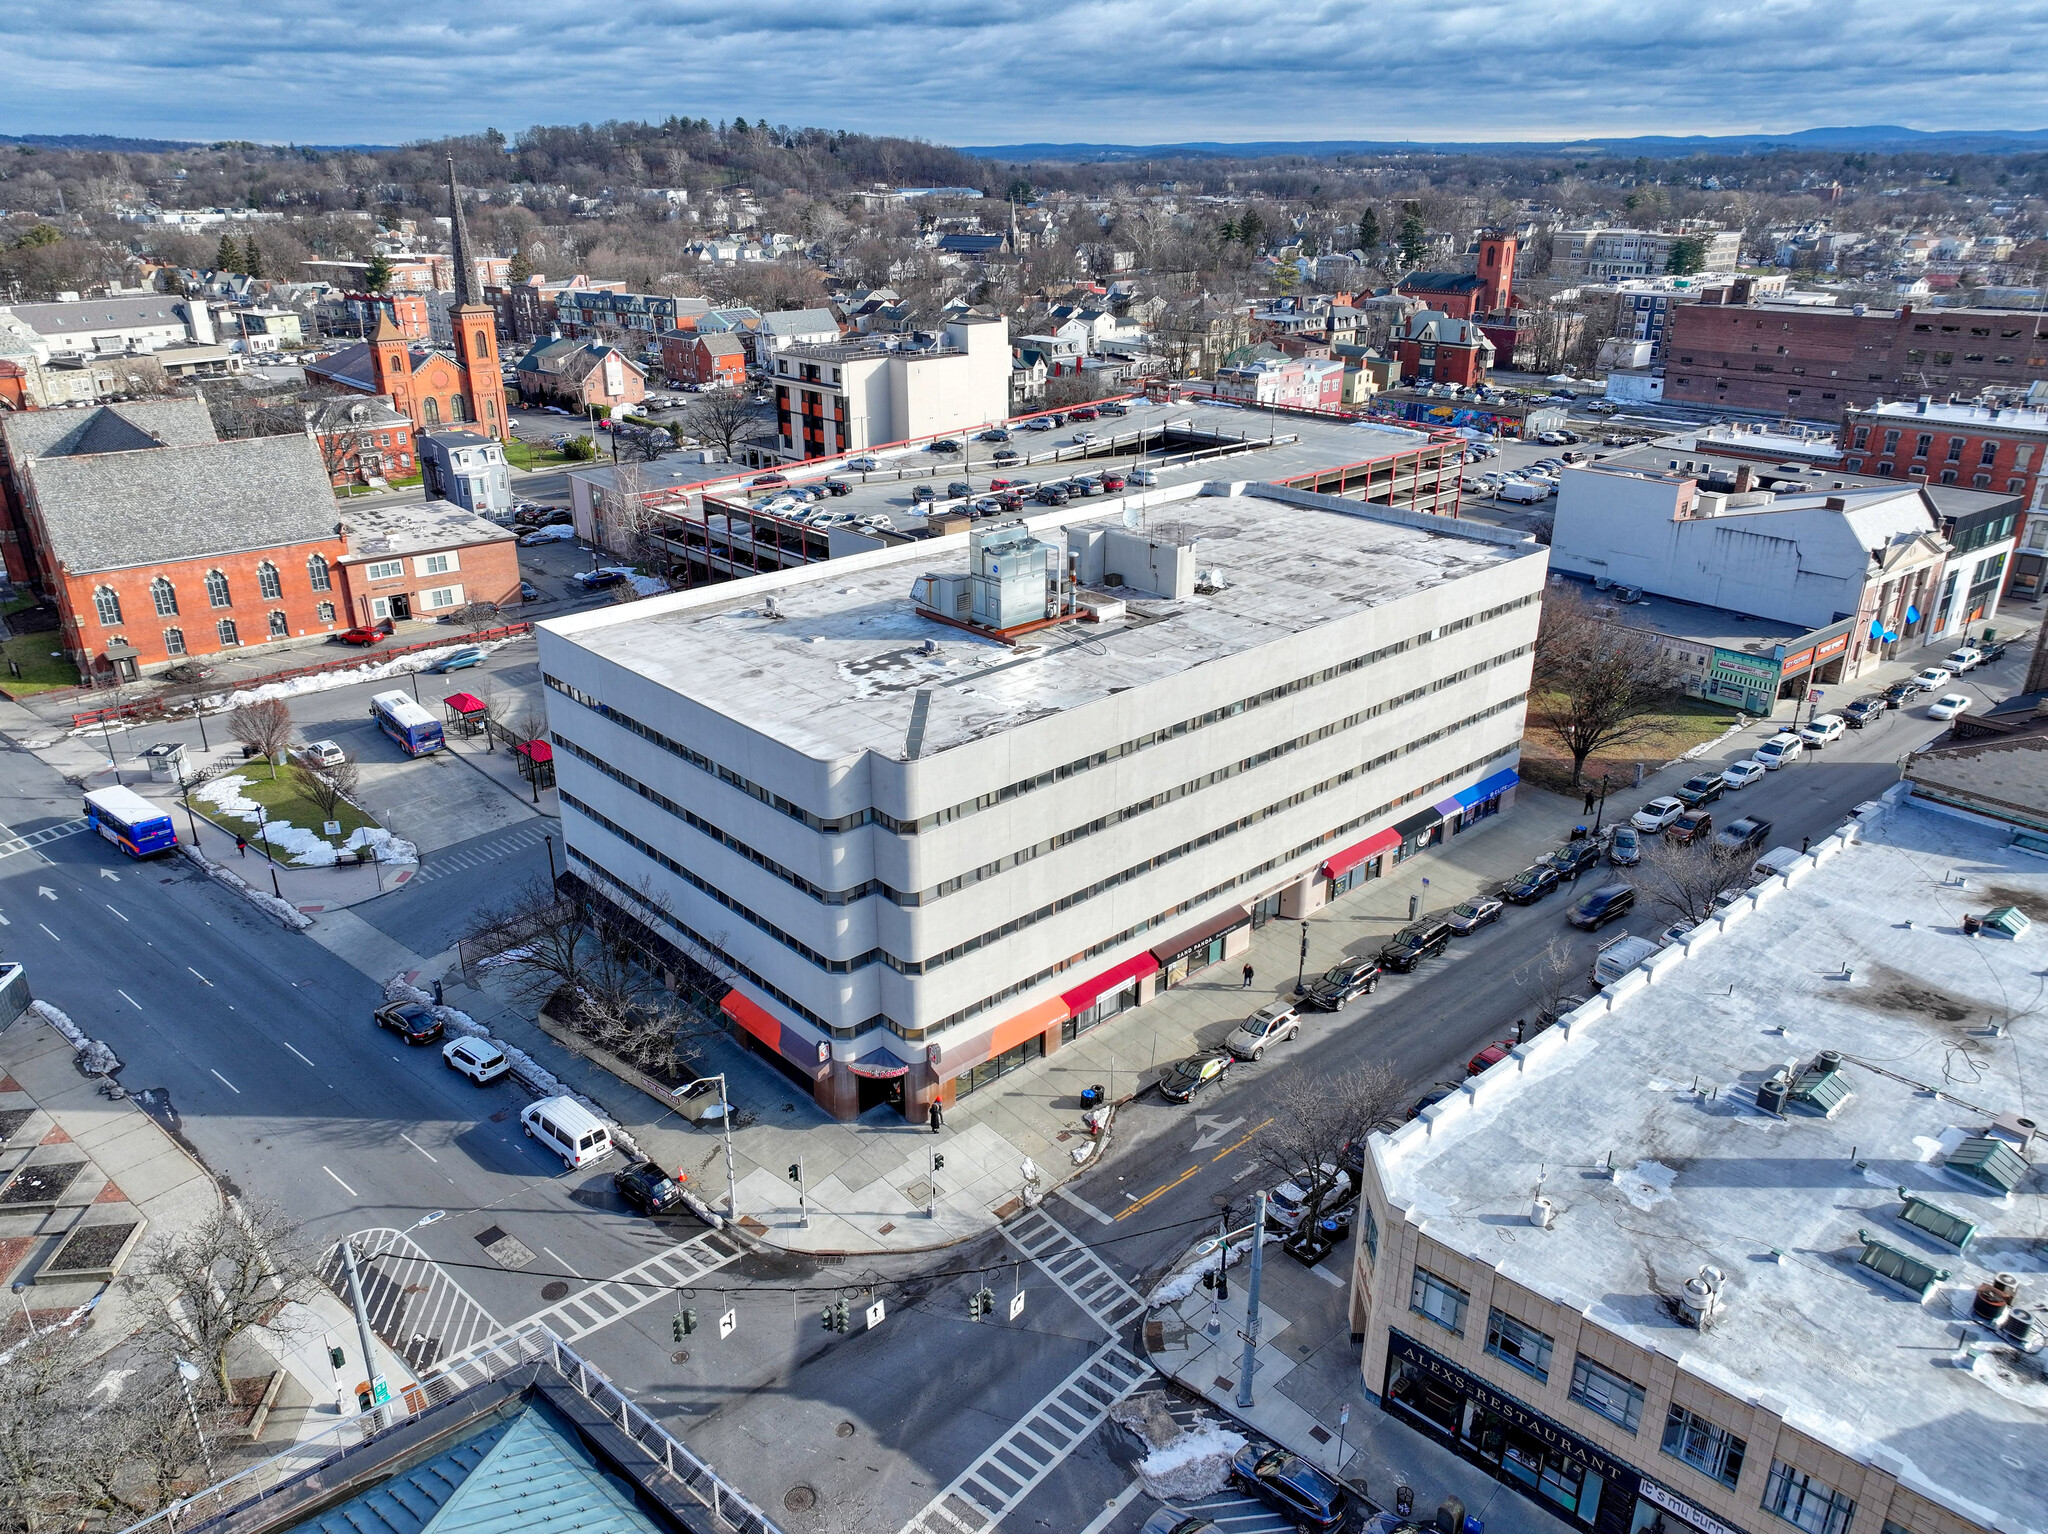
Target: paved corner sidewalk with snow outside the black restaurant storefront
<point>1304,1379</point>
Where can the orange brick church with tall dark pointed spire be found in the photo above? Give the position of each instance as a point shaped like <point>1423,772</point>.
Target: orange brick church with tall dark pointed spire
<point>433,386</point>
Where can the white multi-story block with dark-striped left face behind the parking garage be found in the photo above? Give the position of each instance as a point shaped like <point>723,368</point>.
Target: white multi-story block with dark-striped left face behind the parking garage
<point>859,394</point>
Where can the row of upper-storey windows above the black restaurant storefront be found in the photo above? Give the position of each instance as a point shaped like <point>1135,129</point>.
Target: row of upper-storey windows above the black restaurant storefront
<point>1689,1437</point>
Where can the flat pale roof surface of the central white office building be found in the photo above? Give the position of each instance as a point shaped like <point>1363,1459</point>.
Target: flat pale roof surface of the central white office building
<point>839,669</point>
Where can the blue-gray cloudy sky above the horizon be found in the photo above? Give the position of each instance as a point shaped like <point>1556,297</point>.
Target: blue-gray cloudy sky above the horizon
<point>1021,71</point>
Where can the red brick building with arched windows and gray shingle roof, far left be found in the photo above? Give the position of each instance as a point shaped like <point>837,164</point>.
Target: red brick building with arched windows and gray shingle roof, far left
<point>140,525</point>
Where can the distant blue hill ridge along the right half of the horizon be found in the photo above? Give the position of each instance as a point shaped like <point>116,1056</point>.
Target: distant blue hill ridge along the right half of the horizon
<point>1879,138</point>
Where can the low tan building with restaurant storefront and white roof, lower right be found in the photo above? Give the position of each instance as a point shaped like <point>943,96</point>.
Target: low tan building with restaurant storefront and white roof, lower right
<point>1730,1250</point>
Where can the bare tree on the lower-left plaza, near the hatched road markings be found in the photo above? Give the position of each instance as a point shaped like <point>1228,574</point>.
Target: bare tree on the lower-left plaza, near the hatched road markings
<point>220,1279</point>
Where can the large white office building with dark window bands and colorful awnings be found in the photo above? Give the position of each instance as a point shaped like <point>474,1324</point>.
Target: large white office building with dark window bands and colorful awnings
<point>941,808</point>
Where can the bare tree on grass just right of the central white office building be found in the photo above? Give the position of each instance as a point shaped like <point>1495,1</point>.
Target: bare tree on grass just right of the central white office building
<point>1596,683</point>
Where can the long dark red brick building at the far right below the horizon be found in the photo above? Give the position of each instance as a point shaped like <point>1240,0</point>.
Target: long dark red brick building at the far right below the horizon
<point>1816,364</point>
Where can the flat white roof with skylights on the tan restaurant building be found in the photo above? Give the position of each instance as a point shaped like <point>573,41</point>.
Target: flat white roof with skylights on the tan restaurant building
<point>1861,953</point>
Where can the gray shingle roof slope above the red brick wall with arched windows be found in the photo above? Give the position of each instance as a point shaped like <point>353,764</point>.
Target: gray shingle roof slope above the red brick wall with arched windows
<point>183,503</point>
